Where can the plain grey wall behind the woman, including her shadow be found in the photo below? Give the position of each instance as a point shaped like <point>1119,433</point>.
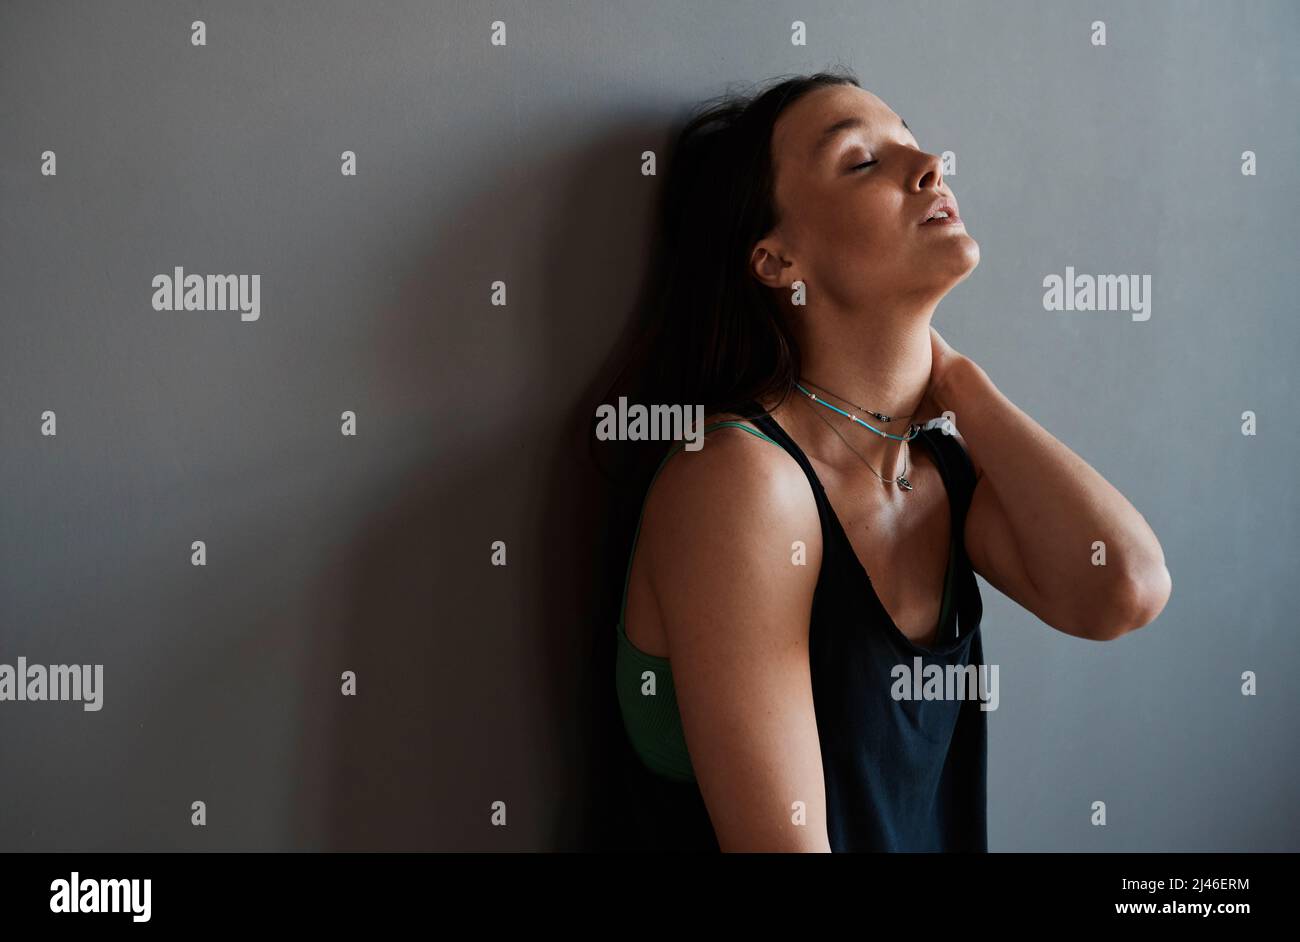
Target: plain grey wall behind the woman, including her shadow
<point>475,164</point>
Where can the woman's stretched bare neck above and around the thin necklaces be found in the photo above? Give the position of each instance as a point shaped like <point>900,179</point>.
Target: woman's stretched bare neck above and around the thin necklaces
<point>879,364</point>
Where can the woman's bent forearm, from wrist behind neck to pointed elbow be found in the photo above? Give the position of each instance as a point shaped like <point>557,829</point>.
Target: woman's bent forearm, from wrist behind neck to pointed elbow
<point>1056,506</point>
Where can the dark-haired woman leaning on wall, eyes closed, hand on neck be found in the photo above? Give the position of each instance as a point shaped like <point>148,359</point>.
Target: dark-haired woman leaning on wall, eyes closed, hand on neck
<point>790,579</point>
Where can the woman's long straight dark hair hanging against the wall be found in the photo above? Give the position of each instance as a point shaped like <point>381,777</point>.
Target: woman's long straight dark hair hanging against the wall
<point>709,333</point>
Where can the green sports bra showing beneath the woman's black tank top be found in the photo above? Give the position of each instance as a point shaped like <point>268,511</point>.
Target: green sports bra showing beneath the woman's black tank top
<point>647,696</point>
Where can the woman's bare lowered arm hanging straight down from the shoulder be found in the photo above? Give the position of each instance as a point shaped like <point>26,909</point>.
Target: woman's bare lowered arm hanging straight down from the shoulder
<point>735,607</point>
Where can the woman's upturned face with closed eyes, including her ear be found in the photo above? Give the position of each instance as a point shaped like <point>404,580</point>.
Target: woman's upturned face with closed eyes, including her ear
<point>853,190</point>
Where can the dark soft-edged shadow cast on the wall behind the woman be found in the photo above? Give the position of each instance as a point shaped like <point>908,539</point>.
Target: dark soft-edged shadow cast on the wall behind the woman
<point>456,710</point>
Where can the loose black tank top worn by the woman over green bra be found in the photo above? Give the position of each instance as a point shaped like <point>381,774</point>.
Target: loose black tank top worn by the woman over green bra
<point>902,774</point>
